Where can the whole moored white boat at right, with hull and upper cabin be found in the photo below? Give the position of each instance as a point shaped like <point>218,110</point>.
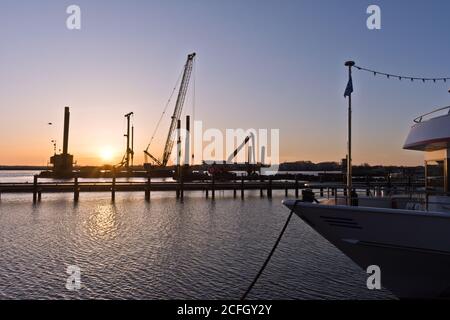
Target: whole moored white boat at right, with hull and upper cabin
<point>406,236</point>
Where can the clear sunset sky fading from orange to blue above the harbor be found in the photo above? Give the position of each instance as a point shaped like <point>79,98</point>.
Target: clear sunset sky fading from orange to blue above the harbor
<point>260,64</point>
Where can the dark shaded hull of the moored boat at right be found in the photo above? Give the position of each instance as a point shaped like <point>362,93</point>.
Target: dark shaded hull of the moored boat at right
<point>412,248</point>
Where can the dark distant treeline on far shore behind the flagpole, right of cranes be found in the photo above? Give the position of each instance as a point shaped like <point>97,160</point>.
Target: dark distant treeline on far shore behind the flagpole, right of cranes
<point>341,167</point>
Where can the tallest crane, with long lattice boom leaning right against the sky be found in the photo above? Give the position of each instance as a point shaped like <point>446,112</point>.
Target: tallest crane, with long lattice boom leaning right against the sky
<point>176,113</point>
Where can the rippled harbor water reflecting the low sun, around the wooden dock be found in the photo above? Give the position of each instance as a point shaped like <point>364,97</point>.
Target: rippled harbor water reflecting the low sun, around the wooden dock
<point>166,249</point>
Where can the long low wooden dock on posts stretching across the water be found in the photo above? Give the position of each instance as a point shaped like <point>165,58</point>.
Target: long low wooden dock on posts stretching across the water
<point>239,186</point>
